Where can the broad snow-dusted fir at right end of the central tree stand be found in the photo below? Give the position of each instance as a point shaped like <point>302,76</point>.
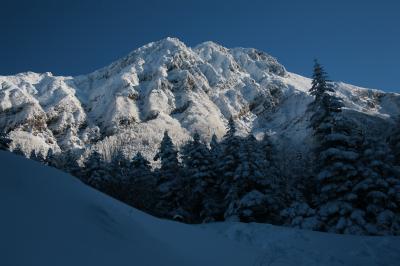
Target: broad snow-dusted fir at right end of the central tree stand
<point>252,195</point>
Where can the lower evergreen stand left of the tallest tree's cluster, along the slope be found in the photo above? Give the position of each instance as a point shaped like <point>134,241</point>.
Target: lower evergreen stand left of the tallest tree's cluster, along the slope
<point>232,179</point>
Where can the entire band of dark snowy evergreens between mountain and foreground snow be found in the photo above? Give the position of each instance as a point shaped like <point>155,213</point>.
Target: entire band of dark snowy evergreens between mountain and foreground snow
<point>353,186</point>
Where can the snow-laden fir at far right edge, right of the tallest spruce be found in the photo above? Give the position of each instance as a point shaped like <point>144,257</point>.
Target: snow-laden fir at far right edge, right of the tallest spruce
<point>378,191</point>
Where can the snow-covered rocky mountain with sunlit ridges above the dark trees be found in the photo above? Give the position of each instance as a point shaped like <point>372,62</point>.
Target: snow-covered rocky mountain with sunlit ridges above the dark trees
<point>167,85</point>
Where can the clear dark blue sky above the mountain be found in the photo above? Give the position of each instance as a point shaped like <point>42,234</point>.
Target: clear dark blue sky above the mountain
<point>357,41</point>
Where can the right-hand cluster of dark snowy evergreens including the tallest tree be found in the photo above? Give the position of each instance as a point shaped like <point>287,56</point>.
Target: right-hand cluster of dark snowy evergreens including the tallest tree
<point>355,187</point>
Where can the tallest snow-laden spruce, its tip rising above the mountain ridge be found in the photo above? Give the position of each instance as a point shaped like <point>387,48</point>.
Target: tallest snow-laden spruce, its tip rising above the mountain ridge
<point>337,151</point>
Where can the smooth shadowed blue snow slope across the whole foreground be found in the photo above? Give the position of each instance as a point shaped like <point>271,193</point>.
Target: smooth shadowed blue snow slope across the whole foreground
<point>50,218</point>
